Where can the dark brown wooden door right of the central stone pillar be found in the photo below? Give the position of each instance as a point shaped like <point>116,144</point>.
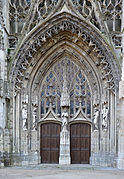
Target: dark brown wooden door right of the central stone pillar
<point>80,143</point>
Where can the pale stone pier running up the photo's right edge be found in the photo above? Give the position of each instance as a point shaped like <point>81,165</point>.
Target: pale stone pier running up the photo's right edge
<point>121,96</point>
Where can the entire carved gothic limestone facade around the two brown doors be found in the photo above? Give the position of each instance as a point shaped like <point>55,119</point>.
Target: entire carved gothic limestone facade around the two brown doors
<point>61,61</point>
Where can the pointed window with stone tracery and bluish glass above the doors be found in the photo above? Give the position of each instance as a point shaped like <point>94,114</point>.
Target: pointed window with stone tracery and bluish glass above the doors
<point>76,85</point>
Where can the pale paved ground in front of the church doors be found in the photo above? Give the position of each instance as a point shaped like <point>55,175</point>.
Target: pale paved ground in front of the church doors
<point>61,172</point>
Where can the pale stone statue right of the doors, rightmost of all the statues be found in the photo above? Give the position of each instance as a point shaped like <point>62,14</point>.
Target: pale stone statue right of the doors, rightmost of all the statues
<point>105,117</point>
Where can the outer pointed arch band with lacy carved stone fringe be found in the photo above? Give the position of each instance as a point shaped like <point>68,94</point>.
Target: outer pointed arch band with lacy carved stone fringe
<point>28,50</point>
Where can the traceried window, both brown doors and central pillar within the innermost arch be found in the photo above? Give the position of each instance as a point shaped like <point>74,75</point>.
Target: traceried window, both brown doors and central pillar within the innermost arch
<point>65,98</point>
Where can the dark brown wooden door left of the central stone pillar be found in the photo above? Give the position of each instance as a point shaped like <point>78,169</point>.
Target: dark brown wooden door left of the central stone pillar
<point>50,143</point>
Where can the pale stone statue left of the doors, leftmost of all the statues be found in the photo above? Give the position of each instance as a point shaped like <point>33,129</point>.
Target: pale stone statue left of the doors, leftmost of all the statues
<point>24,117</point>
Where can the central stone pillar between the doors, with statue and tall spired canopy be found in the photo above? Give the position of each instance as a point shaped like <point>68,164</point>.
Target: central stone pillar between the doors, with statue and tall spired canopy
<point>65,134</point>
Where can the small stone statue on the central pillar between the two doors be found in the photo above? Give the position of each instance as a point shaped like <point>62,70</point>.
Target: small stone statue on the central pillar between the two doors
<point>64,120</point>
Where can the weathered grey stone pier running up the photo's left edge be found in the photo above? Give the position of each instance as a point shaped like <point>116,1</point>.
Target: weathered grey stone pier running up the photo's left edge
<point>5,146</point>
